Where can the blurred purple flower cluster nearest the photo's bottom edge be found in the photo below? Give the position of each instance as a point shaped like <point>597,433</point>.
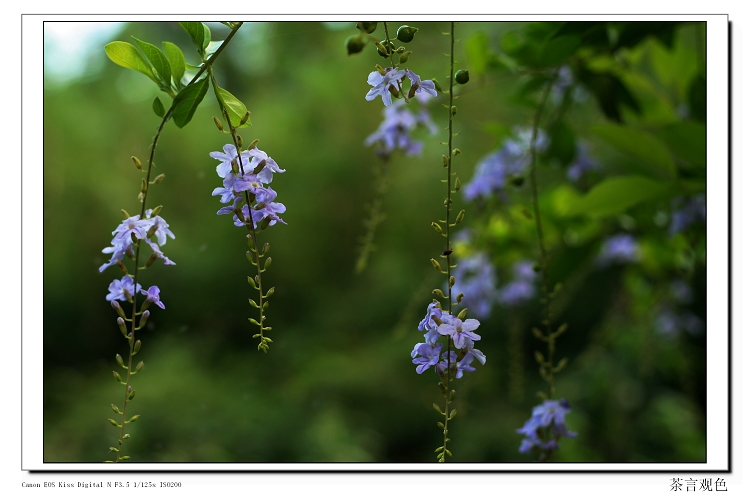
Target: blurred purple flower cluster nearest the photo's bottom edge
<point>546,427</point>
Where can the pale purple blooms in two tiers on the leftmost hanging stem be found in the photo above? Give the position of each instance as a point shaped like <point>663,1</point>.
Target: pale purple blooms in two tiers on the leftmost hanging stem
<point>130,231</point>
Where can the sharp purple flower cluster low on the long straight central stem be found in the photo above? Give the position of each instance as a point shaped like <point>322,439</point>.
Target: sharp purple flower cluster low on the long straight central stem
<point>439,323</point>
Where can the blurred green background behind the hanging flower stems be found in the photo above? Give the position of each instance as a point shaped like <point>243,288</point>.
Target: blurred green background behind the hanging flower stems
<point>338,384</point>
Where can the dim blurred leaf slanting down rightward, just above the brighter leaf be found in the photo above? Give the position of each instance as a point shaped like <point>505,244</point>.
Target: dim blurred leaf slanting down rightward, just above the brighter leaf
<point>640,145</point>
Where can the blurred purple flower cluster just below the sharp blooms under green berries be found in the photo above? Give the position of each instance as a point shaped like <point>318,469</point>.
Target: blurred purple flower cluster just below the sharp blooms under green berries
<point>394,132</point>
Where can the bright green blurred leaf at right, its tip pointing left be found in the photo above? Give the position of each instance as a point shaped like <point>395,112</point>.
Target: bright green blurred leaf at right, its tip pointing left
<point>617,194</point>
